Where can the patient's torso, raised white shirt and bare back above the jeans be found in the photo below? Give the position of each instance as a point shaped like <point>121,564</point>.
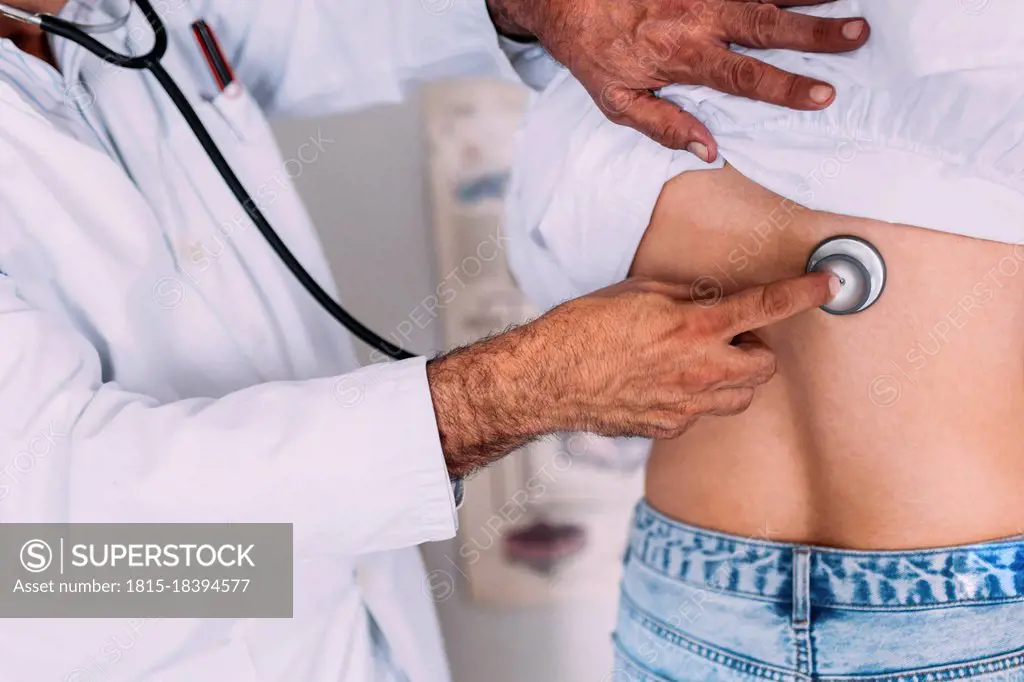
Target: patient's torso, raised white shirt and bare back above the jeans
<point>899,428</point>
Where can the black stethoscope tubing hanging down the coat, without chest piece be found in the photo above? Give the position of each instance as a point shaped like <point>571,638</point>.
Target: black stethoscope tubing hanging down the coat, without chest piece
<point>80,34</point>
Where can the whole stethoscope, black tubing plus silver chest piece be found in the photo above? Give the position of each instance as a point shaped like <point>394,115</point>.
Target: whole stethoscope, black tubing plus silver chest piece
<point>858,264</point>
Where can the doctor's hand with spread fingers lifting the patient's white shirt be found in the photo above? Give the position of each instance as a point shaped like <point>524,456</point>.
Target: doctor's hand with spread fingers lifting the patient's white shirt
<point>624,51</point>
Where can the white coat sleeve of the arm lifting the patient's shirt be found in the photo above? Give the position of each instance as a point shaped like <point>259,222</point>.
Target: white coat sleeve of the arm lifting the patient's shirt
<point>313,58</point>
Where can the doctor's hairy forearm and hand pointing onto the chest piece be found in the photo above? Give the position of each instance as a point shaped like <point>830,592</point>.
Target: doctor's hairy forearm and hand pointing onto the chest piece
<point>639,359</point>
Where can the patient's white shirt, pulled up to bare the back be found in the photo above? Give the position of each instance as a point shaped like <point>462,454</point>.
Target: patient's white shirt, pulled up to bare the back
<point>927,130</point>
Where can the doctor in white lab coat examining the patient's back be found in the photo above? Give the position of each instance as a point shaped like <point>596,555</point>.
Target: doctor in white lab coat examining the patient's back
<point>158,363</point>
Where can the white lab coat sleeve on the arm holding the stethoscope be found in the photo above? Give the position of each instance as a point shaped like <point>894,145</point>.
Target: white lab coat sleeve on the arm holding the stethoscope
<point>354,462</point>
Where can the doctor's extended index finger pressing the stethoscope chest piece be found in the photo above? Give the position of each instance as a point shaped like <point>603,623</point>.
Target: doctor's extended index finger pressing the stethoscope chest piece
<point>775,303</point>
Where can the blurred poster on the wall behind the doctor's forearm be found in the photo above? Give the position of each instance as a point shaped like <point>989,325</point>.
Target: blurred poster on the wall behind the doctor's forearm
<point>548,524</point>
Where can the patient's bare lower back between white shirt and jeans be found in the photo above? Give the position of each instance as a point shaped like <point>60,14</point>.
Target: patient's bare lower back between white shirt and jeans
<point>899,428</point>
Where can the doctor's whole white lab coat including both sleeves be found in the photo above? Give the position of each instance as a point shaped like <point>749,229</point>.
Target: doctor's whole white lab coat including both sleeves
<point>159,364</point>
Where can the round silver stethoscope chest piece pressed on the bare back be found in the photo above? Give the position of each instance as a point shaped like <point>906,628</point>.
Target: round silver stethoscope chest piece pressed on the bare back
<point>861,270</point>
